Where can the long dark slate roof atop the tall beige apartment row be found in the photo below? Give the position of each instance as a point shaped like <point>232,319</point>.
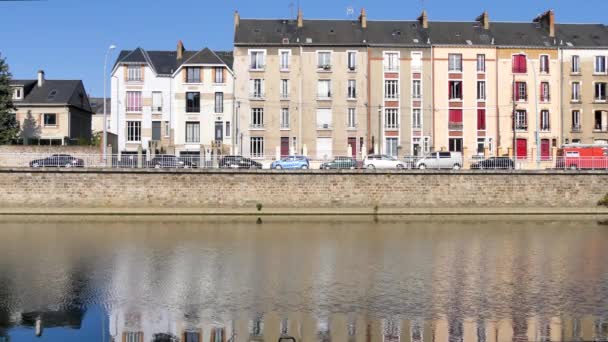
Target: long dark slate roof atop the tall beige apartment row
<point>411,33</point>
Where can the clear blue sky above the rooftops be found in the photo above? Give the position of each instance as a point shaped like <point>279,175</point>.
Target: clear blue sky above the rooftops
<point>68,39</point>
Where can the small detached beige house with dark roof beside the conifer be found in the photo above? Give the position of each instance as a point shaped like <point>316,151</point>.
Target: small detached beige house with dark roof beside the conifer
<point>52,112</point>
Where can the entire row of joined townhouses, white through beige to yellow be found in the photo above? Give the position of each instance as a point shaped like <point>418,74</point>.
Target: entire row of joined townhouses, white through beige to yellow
<point>351,87</point>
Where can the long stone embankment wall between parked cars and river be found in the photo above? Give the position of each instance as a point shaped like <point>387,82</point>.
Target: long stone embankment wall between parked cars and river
<point>298,190</point>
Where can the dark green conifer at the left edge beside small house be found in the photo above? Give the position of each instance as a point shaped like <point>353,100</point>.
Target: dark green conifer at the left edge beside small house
<point>9,127</point>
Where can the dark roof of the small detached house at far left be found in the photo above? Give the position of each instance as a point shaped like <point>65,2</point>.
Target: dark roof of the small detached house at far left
<point>53,92</point>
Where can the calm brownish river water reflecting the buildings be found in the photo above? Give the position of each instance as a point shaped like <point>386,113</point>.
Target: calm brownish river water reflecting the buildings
<point>164,279</point>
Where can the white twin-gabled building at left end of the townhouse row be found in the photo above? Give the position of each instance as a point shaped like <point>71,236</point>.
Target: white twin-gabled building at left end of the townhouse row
<point>177,102</point>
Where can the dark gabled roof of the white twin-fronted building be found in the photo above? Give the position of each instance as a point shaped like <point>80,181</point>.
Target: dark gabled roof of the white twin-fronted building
<point>166,62</point>
